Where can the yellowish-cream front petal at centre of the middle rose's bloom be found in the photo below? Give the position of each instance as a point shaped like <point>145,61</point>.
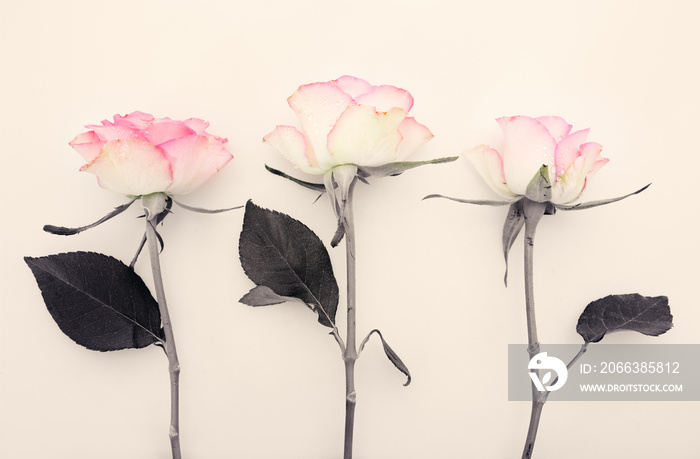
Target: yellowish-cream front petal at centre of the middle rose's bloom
<point>365,137</point>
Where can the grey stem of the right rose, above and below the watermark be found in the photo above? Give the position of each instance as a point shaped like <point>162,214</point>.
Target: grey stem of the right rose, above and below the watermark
<point>533,213</point>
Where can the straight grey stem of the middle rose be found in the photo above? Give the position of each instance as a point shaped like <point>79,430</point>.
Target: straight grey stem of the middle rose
<point>350,354</point>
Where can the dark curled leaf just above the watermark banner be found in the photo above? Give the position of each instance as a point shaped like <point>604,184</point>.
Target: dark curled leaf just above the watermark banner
<point>644,314</point>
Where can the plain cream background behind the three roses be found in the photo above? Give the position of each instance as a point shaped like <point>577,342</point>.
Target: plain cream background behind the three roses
<point>268,383</point>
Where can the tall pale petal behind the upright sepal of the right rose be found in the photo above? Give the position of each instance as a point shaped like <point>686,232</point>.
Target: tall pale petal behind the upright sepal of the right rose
<point>528,146</point>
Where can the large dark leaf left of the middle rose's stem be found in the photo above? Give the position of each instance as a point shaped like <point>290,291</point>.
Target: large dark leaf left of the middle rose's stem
<point>283,254</point>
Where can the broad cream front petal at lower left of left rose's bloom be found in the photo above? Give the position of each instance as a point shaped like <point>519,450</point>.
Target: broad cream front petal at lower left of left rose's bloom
<point>131,167</point>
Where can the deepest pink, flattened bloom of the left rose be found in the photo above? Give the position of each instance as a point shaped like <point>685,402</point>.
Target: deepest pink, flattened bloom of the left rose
<point>138,154</point>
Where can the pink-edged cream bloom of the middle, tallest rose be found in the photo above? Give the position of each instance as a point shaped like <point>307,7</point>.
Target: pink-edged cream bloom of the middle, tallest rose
<point>348,121</point>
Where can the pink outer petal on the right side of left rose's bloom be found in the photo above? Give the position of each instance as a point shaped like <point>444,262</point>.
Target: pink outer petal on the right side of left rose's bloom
<point>194,160</point>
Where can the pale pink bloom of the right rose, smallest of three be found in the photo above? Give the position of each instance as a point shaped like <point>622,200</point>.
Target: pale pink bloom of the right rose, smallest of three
<point>531,143</point>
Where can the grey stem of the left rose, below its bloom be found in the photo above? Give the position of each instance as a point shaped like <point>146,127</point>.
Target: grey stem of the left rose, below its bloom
<point>170,351</point>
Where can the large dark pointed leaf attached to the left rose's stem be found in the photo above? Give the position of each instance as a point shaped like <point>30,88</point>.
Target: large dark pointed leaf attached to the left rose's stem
<point>97,300</point>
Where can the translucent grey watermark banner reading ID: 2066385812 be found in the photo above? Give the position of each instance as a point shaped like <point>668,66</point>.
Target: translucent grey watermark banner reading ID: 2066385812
<point>606,372</point>
